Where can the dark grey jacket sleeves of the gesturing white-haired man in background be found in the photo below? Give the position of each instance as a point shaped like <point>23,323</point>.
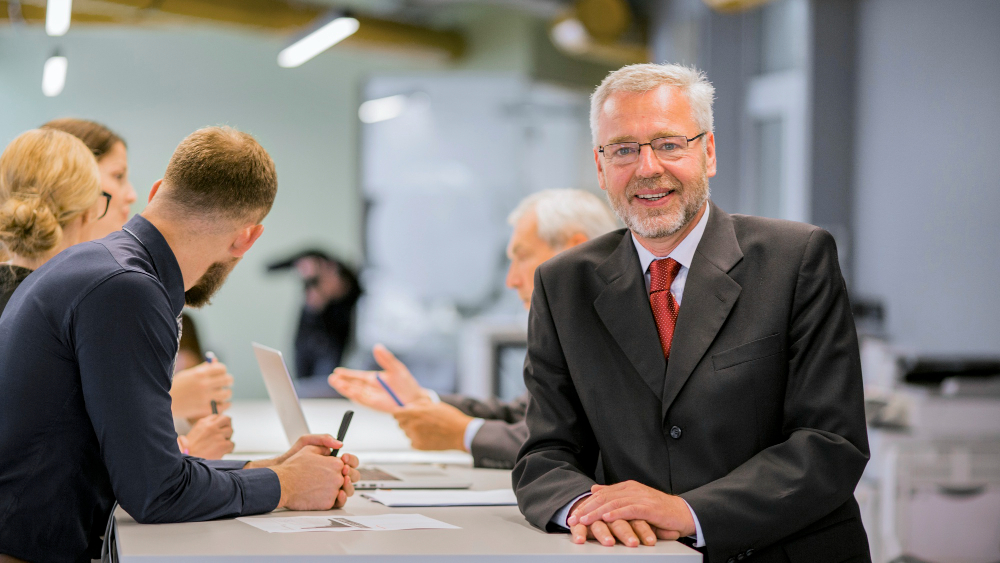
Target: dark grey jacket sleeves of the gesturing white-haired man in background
<point>501,436</point>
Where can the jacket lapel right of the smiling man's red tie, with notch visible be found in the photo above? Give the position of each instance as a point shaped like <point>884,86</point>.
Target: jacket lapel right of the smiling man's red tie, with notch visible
<point>709,295</point>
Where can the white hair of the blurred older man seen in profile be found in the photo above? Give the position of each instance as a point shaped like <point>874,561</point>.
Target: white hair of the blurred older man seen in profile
<point>563,213</point>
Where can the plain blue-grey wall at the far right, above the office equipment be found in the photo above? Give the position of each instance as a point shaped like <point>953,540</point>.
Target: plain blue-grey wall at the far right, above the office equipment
<point>927,208</point>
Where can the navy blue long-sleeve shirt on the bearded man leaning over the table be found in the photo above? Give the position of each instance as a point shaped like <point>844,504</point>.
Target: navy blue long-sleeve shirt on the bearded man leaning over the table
<point>87,345</point>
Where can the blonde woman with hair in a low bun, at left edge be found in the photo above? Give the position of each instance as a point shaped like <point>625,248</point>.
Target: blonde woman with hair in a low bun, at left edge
<point>50,198</point>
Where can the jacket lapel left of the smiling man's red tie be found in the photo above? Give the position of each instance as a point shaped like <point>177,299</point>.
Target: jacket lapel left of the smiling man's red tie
<point>624,309</point>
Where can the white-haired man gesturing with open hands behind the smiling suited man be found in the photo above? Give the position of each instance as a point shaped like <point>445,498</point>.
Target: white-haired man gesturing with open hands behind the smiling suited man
<point>545,224</point>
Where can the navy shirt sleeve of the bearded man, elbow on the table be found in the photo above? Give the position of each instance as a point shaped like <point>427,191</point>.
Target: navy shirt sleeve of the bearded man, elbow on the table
<point>125,353</point>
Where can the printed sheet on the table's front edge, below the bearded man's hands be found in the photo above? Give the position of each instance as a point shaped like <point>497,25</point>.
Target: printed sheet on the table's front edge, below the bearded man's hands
<point>380,523</point>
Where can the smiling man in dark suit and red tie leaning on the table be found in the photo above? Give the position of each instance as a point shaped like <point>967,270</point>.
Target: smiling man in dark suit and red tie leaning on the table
<point>707,363</point>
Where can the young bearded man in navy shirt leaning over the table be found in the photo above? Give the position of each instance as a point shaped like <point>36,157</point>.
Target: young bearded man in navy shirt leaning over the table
<point>87,346</point>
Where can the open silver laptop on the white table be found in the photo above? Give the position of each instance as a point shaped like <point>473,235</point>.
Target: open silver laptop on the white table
<point>286,402</point>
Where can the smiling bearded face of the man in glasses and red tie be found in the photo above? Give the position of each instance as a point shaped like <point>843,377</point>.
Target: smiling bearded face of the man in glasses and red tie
<point>655,199</point>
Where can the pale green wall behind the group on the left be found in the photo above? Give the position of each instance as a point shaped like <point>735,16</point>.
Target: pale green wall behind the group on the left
<point>155,86</point>
